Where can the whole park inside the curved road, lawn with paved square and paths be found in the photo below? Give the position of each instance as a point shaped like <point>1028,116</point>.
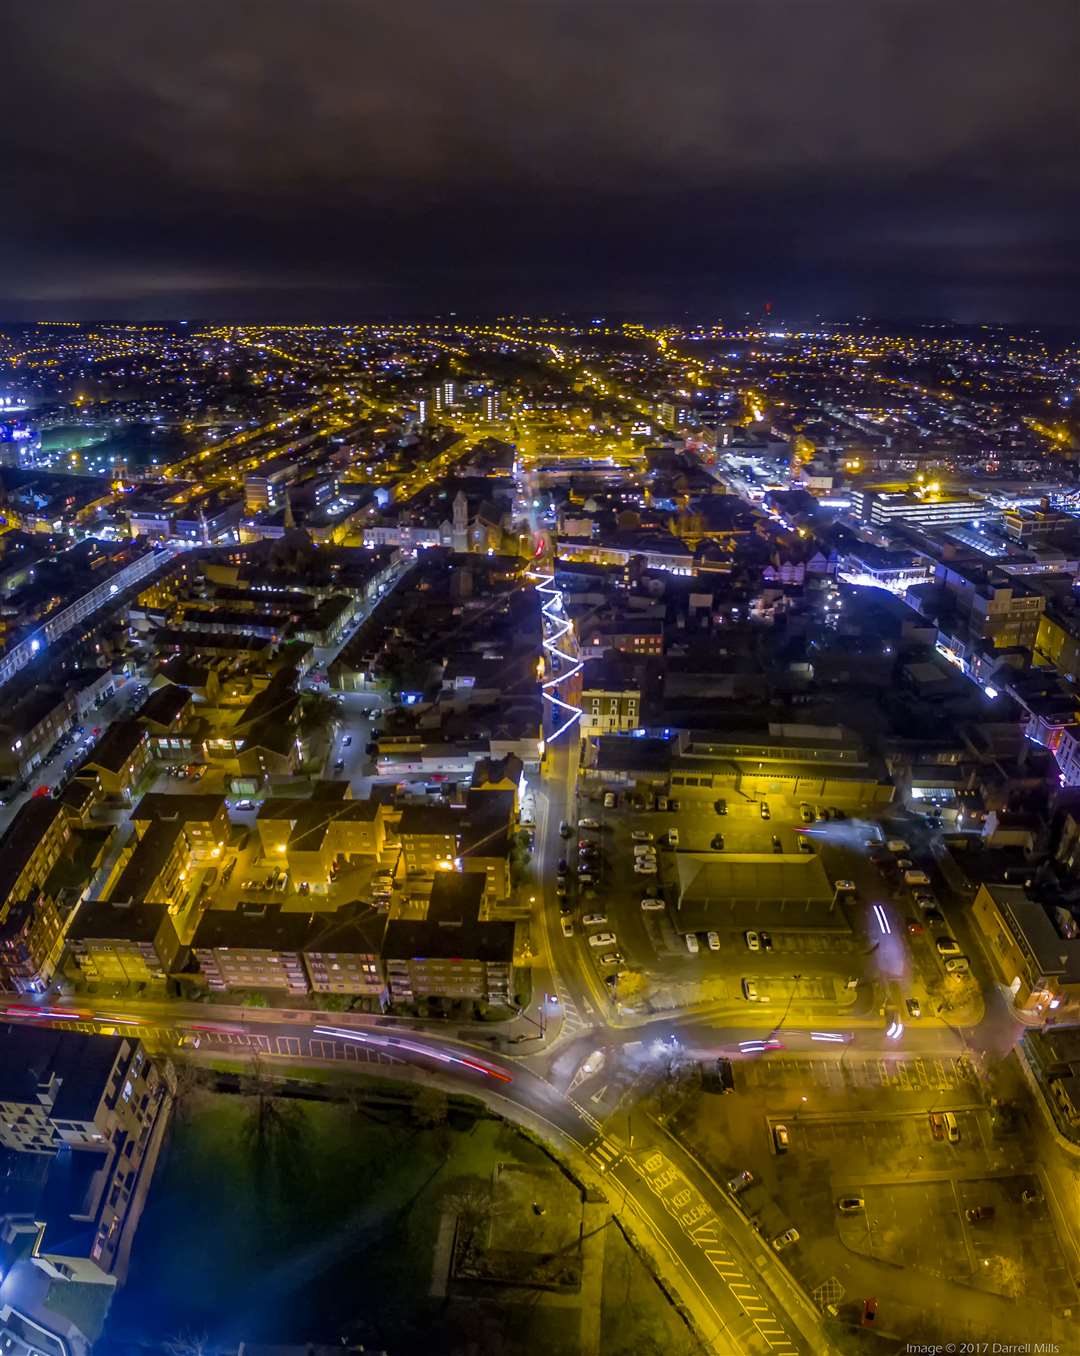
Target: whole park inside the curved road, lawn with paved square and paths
<point>383,1216</point>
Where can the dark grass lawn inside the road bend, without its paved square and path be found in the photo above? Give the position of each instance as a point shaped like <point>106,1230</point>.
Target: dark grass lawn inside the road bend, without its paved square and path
<point>325,1229</point>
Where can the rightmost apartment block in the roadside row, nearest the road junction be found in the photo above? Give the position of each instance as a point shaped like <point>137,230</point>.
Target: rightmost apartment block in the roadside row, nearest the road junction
<point>451,954</point>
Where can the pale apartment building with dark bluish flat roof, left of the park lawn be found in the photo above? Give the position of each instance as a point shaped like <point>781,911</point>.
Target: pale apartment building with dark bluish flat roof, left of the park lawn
<point>97,1107</point>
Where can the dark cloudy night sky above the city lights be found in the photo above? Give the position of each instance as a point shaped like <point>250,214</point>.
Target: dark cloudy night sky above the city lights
<point>332,159</point>
